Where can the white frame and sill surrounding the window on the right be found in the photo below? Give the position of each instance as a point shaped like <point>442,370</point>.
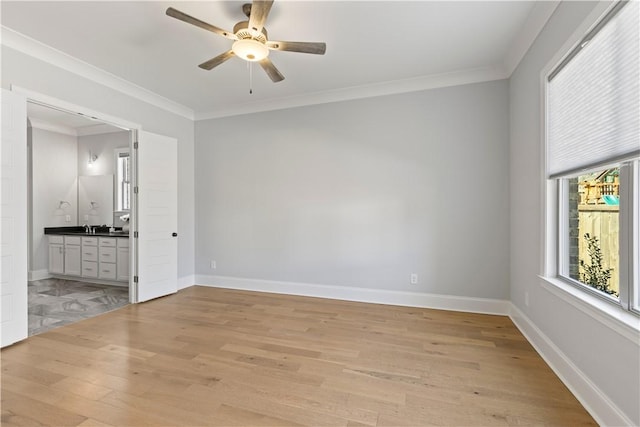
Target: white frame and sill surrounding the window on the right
<point>626,308</point>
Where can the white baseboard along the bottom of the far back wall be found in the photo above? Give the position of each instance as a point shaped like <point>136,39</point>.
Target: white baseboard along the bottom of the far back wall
<point>376,296</point>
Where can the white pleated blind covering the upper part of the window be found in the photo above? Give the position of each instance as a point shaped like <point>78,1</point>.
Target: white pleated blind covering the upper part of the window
<point>594,98</point>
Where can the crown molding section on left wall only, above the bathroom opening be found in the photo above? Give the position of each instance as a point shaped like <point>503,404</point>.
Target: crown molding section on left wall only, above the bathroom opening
<point>43,52</point>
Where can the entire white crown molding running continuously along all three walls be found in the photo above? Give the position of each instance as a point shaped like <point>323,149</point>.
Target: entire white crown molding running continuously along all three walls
<point>536,20</point>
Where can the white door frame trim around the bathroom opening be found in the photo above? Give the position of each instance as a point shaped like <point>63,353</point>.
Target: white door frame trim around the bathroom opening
<point>134,129</point>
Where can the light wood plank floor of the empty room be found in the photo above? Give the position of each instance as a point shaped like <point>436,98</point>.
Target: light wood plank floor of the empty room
<point>220,357</point>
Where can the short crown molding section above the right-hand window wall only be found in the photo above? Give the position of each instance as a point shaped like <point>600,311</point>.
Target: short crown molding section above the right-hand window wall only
<point>537,19</point>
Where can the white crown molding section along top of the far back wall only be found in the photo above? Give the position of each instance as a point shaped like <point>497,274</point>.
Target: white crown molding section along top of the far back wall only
<point>434,81</point>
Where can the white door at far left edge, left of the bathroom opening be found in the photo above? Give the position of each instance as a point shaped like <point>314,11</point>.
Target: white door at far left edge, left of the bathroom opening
<point>13,219</point>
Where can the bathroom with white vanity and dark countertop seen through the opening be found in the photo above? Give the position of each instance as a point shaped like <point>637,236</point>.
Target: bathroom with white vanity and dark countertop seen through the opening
<point>79,180</point>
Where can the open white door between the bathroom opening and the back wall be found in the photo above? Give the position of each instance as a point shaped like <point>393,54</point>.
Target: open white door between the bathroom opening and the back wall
<point>157,211</point>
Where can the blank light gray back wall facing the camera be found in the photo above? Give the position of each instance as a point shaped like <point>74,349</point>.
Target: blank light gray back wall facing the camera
<point>361,193</point>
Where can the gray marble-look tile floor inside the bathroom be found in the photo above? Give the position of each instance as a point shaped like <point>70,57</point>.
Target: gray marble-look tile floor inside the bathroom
<point>58,302</point>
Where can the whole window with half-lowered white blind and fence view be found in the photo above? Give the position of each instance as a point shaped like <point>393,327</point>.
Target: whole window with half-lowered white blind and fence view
<point>592,151</point>
